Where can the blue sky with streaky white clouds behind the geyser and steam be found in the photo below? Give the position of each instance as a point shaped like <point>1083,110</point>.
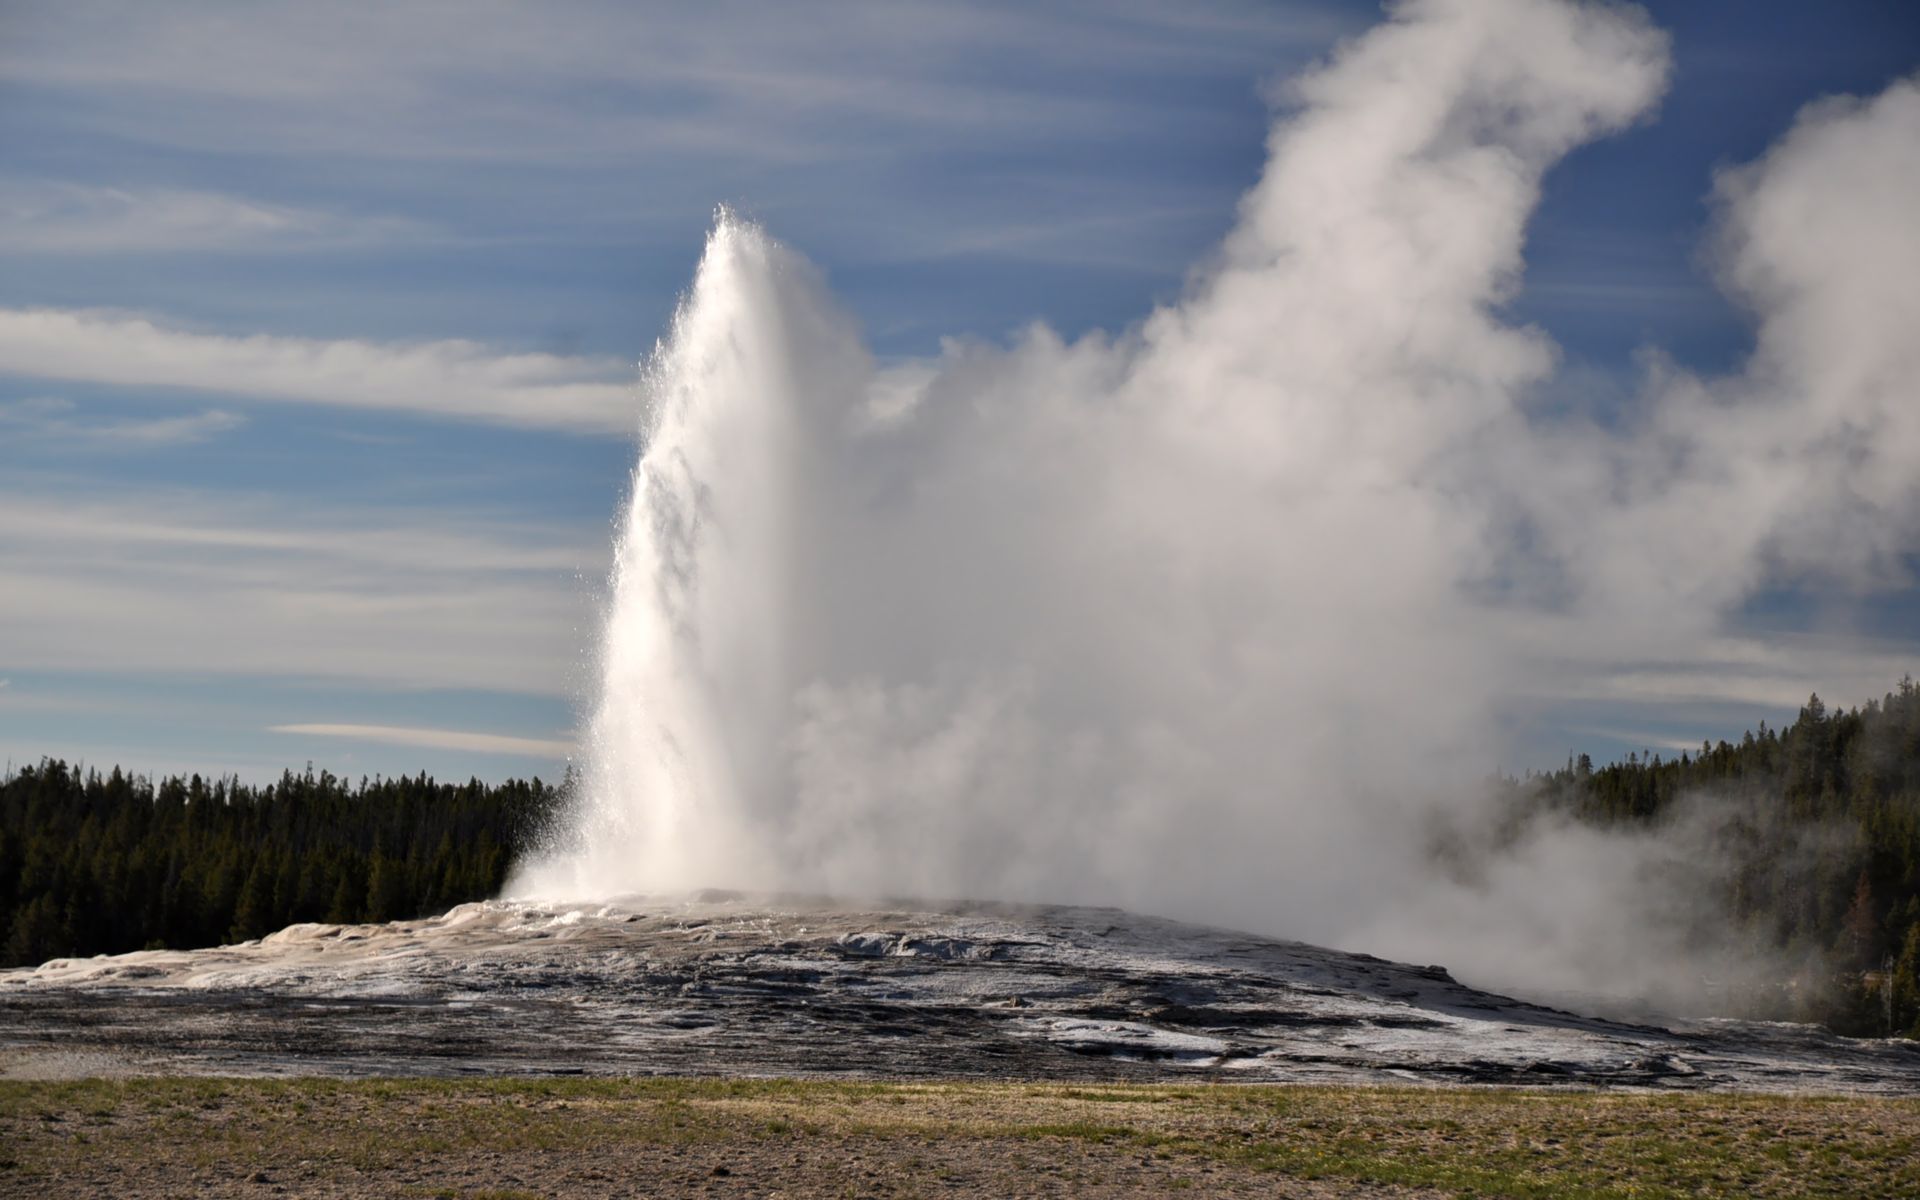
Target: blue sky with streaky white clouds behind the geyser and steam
<point>320,325</point>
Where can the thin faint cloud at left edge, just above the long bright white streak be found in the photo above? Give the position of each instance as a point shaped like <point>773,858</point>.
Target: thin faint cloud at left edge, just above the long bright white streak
<point>68,218</point>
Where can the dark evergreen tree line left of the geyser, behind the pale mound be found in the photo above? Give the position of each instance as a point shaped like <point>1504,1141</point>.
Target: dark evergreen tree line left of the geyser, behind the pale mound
<point>103,865</point>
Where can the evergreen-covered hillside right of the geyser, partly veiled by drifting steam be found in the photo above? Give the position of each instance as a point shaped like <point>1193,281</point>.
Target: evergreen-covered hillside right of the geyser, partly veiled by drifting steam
<point>1812,855</point>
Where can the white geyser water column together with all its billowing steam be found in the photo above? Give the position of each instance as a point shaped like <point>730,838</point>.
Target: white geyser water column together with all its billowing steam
<point>1222,617</point>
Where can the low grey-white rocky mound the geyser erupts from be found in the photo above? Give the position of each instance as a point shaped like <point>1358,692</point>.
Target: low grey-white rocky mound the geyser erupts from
<point>738,986</point>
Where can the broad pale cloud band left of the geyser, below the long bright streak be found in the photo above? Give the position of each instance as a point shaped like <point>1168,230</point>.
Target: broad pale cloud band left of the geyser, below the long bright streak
<point>199,585</point>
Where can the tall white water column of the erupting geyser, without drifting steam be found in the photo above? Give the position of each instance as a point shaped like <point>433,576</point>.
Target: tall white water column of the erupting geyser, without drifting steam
<point>696,656</point>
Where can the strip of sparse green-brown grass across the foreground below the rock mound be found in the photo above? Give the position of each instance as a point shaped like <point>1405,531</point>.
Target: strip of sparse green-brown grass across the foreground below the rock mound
<point>1452,1141</point>
